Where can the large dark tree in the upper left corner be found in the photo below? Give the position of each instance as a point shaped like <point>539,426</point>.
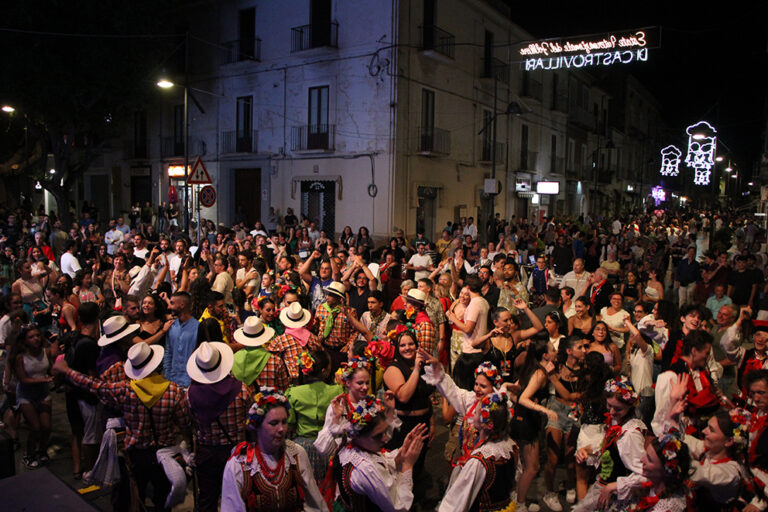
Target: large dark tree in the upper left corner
<point>75,71</point>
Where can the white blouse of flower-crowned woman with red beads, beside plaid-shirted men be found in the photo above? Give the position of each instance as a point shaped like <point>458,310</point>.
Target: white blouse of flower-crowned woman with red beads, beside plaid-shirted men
<point>232,482</point>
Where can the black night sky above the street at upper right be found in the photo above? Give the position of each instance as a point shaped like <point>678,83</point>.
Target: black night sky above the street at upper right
<point>712,63</point>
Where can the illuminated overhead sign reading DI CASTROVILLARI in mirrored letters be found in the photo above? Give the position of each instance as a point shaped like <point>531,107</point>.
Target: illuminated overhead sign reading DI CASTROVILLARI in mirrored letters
<point>624,47</point>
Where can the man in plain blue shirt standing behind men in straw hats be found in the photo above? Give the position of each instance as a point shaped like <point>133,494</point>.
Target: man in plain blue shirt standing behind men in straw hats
<point>181,341</point>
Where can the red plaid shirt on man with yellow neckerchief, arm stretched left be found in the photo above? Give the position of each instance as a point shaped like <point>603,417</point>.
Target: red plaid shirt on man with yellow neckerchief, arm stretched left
<point>170,413</point>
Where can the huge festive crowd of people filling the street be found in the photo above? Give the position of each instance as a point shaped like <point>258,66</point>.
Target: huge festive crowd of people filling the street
<point>288,369</point>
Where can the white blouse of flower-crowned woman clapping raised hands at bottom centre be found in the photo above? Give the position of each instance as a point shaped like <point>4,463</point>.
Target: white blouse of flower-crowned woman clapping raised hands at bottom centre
<point>376,476</point>
